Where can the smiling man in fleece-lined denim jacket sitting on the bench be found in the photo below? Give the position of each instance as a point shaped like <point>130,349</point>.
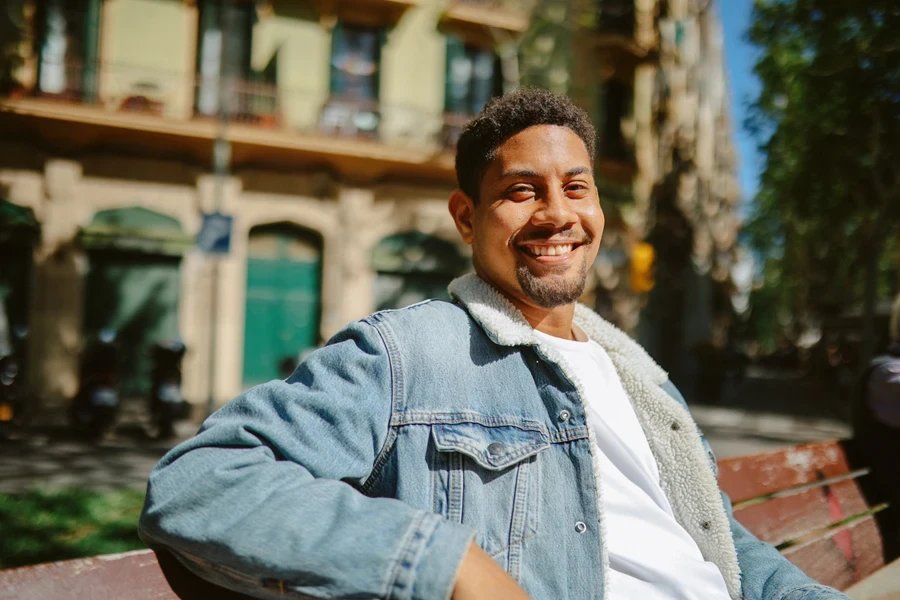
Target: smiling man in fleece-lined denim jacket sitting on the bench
<point>507,445</point>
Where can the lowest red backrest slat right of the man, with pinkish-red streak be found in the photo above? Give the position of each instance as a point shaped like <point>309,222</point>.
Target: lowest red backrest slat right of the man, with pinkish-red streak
<point>824,561</point>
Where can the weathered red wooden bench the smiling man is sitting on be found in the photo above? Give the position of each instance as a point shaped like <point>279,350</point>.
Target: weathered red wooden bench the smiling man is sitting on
<point>808,501</point>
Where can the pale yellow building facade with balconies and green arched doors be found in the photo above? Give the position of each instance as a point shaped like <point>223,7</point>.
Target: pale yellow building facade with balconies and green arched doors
<point>336,120</point>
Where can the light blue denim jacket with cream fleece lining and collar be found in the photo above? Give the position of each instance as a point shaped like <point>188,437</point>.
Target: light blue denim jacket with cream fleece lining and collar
<point>369,471</point>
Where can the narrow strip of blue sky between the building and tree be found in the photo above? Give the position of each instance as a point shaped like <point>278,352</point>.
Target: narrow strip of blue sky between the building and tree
<point>740,56</point>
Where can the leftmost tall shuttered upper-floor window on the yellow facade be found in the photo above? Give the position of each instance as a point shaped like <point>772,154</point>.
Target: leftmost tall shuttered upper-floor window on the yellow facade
<point>68,37</point>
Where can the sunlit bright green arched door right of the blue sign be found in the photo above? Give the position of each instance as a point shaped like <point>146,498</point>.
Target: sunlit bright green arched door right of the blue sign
<point>283,300</point>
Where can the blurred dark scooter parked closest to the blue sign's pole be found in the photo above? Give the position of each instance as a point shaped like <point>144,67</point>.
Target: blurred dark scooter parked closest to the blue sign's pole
<point>166,400</point>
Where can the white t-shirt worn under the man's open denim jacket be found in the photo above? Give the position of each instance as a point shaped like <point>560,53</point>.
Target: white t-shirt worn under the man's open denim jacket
<point>651,556</point>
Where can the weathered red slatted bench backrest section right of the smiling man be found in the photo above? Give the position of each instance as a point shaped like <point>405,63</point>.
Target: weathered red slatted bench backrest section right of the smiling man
<point>808,502</point>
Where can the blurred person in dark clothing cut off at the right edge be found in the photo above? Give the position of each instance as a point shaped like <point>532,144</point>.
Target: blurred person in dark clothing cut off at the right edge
<point>876,425</point>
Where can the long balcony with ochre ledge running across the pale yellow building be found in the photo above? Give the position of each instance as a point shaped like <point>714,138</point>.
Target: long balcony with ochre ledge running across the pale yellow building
<point>139,110</point>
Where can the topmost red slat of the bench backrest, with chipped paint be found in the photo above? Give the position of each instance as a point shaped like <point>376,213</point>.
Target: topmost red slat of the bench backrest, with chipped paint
<point>746,477</point>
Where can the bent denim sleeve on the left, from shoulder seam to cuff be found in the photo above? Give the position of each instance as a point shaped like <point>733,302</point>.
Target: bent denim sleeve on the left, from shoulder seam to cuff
<point>266,499</point>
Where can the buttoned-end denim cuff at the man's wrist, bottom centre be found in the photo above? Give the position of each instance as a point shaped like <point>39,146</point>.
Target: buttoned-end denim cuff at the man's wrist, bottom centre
<point>429,561</point>
